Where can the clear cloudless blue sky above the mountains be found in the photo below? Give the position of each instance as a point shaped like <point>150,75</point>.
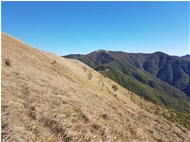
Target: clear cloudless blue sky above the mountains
<point>82,27</point>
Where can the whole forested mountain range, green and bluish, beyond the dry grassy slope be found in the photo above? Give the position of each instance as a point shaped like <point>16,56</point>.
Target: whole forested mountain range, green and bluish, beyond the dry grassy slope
<point>158,77</point>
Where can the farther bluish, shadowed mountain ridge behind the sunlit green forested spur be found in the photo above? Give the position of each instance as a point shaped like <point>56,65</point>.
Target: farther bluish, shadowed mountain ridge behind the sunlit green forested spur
<point>170,69</point>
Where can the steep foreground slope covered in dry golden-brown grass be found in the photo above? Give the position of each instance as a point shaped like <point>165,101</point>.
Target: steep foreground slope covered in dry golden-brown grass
<point>49,98</point>
